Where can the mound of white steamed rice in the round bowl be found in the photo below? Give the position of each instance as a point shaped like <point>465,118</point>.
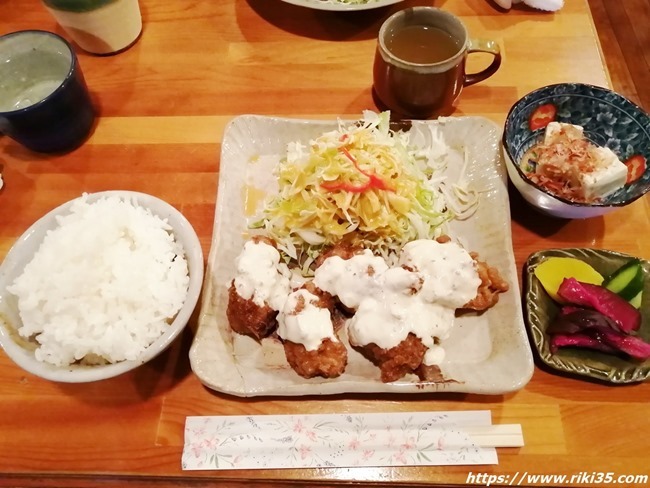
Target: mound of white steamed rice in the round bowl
<point>103,285</point>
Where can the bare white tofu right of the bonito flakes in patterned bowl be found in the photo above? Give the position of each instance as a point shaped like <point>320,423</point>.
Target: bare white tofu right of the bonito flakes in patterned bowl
<point>608,175</point>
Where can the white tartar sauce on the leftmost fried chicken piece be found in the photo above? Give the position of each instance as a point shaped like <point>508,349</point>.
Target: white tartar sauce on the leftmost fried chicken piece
<point>261,276</point>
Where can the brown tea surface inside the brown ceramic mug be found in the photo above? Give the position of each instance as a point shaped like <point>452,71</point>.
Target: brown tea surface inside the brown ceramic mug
<point>422,44</point>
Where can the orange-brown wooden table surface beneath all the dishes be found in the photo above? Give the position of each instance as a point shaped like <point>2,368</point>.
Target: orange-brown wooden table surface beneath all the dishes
<point>164,104</point>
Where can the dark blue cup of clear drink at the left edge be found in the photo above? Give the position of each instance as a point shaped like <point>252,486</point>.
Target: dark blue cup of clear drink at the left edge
<point>44,100</point>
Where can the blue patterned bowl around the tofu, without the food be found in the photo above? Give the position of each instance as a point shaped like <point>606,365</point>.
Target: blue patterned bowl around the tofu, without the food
<point>608,120</point>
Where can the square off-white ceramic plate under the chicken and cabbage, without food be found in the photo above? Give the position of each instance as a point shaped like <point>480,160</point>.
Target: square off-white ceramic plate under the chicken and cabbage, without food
<point>486,353</point>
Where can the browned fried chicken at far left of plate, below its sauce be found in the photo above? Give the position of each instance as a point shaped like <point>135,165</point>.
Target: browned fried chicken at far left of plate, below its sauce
<point>248,318</point>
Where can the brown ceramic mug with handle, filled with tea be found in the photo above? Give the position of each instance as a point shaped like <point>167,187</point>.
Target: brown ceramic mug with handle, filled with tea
<point>419,68</point>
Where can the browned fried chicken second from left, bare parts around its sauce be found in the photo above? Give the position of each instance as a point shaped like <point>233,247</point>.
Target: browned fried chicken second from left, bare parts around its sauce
<point>331,357</point>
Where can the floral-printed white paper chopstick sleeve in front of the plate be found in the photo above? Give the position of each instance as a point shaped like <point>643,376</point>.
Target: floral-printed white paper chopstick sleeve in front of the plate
<point>333,440</point>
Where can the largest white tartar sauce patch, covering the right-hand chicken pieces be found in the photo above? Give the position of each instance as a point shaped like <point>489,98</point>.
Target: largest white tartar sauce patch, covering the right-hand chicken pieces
<point>390,303</point>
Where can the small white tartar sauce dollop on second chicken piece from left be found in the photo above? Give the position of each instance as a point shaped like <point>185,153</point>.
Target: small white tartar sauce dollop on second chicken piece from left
<point>301,321</point>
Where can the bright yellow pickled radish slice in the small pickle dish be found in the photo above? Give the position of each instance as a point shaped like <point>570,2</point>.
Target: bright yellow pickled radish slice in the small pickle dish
<point>552,271</point>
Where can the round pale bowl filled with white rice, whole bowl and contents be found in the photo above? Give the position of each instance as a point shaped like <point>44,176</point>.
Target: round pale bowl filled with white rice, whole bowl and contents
<point>98,286</point>
